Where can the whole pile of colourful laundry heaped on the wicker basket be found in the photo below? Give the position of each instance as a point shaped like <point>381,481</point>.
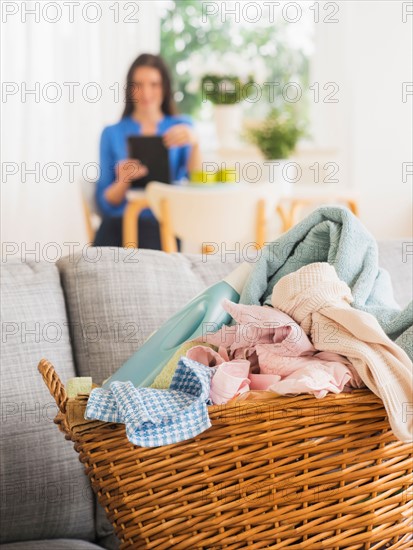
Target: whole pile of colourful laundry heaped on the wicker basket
<point>323,327</point>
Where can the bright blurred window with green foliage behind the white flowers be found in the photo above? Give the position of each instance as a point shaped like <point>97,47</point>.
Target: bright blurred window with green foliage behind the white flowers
<point>279,41</point>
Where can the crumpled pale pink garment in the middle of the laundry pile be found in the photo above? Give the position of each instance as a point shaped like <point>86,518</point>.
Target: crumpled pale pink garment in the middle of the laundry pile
<point>279,352</point>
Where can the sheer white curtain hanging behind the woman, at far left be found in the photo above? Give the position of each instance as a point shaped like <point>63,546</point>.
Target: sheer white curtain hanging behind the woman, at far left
<point>69,54</point>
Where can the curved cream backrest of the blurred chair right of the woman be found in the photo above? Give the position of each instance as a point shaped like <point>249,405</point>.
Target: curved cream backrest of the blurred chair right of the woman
<point>224,213</point>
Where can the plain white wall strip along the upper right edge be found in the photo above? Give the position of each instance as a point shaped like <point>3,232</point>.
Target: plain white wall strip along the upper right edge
<point>382,123</point>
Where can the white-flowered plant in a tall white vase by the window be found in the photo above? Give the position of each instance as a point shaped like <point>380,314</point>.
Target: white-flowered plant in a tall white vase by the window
<point>226,81</point>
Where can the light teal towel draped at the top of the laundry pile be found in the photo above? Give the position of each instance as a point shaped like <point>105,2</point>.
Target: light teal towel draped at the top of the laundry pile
<point>333,234</point>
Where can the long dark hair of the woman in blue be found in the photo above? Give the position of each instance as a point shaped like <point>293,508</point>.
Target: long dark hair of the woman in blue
<point>148,60</point>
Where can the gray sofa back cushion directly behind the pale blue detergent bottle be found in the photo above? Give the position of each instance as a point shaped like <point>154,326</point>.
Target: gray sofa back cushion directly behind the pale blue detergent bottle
<point>116,302</point>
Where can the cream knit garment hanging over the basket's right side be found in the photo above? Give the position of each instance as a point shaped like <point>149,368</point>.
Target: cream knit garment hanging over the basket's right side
<point>317,300</point>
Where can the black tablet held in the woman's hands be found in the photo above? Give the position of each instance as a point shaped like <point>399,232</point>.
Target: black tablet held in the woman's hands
<point>150,151</point>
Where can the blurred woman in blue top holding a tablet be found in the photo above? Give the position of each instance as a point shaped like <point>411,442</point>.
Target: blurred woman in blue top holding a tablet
<point>149,111</point>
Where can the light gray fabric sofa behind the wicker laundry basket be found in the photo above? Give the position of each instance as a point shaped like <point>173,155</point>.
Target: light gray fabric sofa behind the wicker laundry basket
<point>86,314</point>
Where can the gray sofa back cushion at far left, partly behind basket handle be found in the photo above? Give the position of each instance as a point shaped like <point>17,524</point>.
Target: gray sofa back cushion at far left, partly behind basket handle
<point>45,492</point>
